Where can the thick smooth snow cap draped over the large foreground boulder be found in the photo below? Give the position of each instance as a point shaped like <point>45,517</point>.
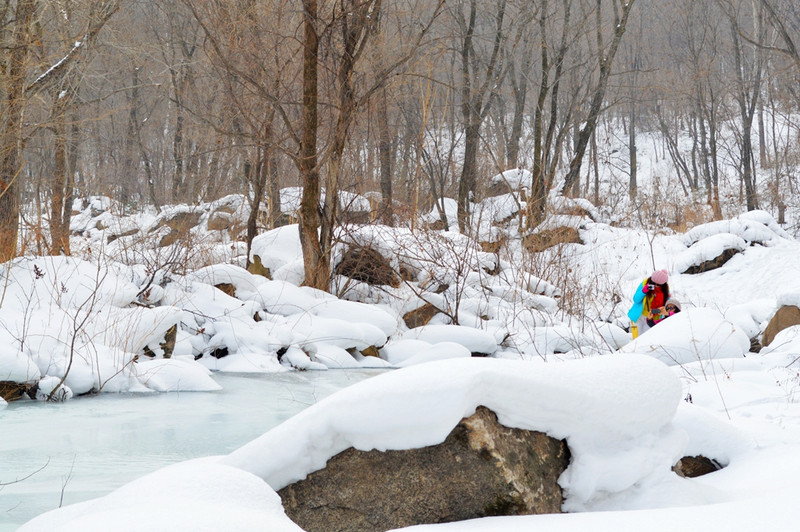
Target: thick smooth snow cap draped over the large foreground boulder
<point>615,412</point>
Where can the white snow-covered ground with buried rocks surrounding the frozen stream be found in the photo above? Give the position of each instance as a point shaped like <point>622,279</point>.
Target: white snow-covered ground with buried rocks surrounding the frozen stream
<point>628,409</point>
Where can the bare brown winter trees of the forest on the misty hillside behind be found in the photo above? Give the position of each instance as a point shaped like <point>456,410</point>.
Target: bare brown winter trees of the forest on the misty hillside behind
<point>406,102</point>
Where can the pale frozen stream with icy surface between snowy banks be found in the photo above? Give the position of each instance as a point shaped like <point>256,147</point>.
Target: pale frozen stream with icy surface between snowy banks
<point>87,447</point>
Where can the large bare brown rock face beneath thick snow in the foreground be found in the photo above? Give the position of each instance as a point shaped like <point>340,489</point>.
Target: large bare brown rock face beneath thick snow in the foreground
<point>481,469</point>
